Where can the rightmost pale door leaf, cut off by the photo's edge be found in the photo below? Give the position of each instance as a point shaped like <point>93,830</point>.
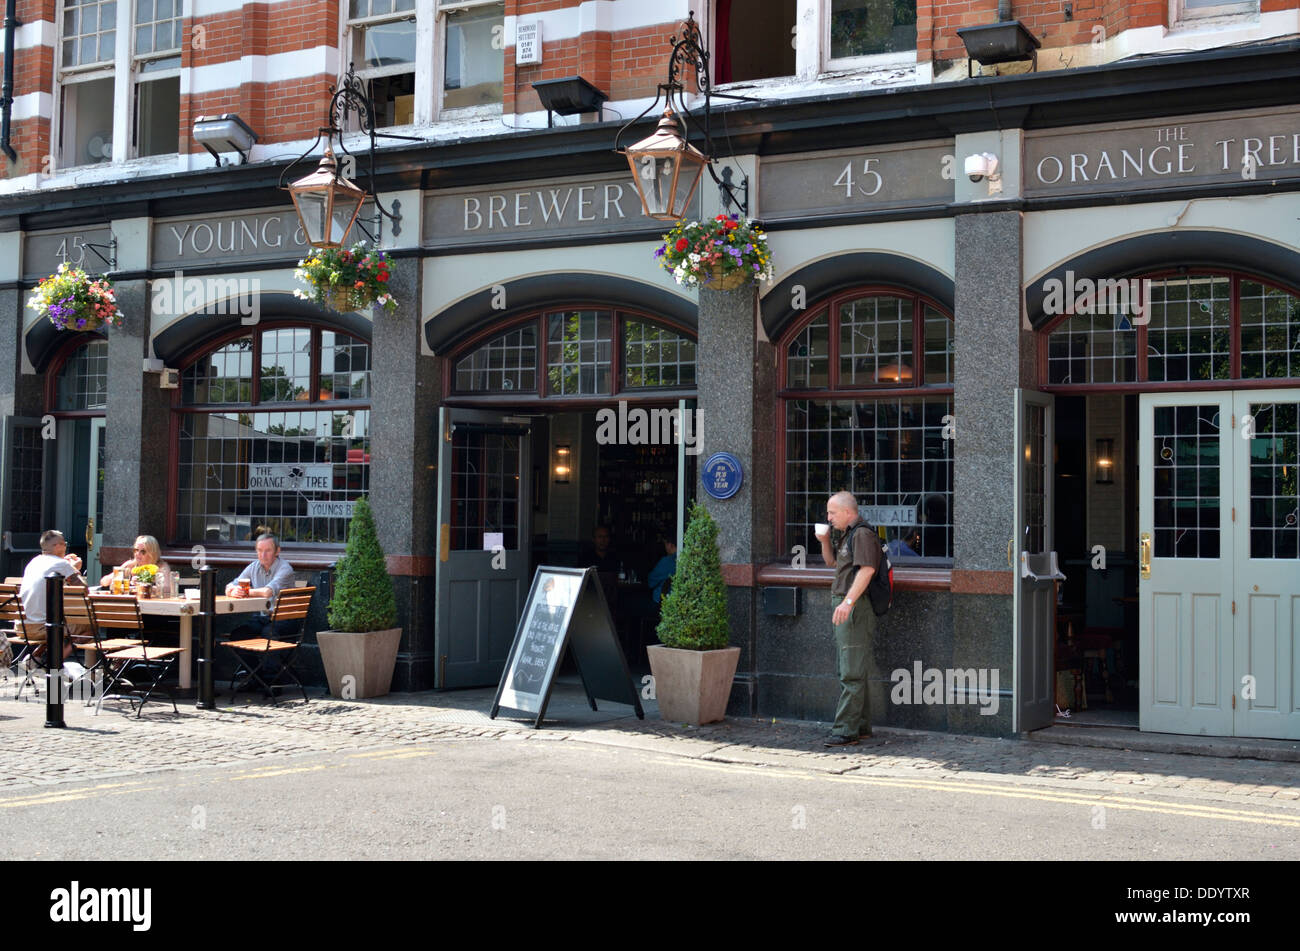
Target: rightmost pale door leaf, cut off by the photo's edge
<point>1267,540</point>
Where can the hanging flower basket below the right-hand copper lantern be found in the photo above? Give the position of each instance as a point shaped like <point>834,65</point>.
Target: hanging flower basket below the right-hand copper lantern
<point>722,254</point>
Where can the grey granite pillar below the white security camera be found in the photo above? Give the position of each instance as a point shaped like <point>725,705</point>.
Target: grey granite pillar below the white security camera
<point>989,368</point>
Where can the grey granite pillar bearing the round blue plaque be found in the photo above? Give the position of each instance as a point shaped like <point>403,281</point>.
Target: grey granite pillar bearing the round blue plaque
<point>736,379</point>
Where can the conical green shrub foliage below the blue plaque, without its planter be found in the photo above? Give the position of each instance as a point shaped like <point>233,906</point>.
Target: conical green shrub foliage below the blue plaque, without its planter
<point>695,611</point>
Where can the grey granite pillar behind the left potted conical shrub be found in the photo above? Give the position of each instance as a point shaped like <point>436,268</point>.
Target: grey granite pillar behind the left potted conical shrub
<point>406,392</point>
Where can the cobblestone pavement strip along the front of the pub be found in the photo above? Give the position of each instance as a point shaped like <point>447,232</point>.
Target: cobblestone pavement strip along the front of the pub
<point>115,745</point>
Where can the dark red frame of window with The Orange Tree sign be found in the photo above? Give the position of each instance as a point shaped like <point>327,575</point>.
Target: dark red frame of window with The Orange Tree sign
<point>254,406</point>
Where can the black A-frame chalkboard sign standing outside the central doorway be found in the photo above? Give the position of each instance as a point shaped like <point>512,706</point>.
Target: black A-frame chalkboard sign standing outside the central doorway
<point>566,607</point>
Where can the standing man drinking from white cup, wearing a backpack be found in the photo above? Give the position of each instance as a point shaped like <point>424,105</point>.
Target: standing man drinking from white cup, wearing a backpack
<point>855,562</point>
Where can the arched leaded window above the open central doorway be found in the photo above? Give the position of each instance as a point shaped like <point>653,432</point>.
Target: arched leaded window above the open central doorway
<point>587,353</point>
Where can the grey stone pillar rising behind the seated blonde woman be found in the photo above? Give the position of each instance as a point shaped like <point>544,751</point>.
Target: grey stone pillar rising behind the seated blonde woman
<point>137,432</point>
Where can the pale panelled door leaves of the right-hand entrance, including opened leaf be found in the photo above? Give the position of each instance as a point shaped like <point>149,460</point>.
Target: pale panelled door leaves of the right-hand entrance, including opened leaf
<point>1219,563</point>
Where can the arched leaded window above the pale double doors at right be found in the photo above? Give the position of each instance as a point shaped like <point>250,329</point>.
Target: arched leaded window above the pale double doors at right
<point>1178,329</point>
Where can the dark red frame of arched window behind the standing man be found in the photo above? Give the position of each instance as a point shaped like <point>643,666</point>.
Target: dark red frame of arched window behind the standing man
<point>934,570</point>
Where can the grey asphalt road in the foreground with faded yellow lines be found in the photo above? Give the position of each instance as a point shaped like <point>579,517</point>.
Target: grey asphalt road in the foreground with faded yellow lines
<point>501,798</point>
